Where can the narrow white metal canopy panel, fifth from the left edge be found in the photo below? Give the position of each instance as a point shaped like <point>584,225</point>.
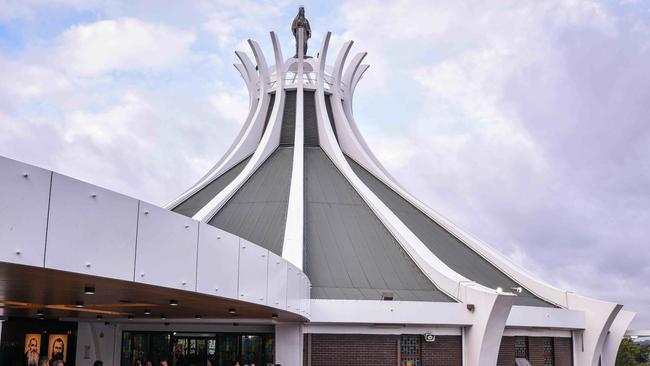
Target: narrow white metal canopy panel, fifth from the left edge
<point>253,264</point>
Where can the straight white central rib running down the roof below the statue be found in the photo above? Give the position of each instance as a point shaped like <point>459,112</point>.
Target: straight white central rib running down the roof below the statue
<point>292,247</point>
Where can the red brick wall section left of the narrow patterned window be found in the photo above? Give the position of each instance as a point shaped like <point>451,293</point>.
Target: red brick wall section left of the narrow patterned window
<point>353,349</point>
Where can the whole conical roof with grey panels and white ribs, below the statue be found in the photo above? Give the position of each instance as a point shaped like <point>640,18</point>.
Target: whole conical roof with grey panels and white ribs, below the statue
<point>300,181</point>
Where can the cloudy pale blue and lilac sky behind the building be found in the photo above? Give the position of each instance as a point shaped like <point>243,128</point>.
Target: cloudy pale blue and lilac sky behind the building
<point>525,122</point>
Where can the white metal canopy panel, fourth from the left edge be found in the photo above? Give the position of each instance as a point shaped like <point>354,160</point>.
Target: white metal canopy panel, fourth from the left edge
<point>218,262</point>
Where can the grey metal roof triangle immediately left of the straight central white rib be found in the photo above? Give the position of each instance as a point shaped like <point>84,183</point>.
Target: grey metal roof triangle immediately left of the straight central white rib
<point>258,211</point>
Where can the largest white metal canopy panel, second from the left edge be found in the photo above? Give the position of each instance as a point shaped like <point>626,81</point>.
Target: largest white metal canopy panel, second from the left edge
<point>91,230</point>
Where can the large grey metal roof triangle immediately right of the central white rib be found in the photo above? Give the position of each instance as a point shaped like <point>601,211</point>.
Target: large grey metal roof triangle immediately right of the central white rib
<point>349,254</point>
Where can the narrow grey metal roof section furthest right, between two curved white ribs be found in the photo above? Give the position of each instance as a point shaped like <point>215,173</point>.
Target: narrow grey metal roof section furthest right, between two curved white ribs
<point>443,244</point>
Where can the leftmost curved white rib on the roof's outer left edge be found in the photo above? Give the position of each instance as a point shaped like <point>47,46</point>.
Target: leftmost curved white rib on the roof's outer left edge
<point>247,138</point>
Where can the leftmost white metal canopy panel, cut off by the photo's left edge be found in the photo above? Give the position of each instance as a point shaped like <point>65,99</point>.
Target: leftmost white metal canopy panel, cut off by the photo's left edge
<point>24,199</point>
